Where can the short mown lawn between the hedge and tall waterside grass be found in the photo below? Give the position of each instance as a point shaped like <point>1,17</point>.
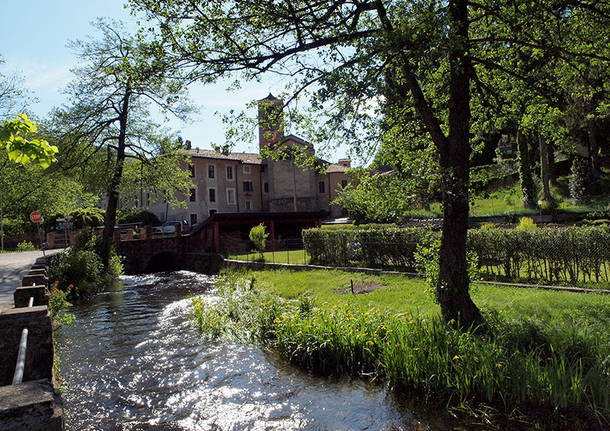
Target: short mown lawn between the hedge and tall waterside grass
<point>402,294</point>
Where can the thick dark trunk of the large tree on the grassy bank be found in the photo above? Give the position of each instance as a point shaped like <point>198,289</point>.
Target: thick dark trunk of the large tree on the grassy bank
<point>452,291</point>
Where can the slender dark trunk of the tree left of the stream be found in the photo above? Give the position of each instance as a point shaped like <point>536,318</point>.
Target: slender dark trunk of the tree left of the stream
<point>113,187</point>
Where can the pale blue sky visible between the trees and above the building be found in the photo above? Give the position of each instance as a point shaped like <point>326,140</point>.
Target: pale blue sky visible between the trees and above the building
<point>33,42</point>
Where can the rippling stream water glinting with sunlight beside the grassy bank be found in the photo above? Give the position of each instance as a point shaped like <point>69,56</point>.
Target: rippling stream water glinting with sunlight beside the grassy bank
<point>132,360</point>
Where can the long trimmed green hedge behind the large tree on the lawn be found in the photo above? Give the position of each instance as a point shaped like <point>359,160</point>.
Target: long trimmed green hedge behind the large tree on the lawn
<point>571,254</point>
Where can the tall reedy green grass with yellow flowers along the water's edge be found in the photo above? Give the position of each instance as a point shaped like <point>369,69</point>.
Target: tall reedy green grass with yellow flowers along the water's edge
<point>519,363</point>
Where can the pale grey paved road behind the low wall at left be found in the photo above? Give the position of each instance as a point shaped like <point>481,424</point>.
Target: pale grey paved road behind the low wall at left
<point>13,267</point>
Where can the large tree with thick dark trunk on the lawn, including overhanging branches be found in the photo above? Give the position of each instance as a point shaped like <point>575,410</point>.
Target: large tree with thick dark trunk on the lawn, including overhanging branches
<point>342,53</point>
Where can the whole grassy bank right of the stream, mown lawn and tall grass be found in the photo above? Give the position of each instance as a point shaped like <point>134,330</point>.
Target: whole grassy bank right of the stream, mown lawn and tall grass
<point>543,356</point>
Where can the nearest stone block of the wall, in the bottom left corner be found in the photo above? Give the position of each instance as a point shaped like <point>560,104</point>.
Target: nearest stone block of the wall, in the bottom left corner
<point>34,406</point>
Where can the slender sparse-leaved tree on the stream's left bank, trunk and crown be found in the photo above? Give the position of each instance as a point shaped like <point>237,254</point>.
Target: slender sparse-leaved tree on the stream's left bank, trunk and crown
<point>120,78</point>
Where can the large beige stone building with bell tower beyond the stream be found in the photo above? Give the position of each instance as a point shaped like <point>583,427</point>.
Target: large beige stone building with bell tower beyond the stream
<point>231,182</point>
